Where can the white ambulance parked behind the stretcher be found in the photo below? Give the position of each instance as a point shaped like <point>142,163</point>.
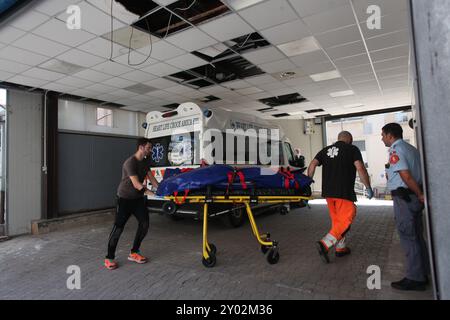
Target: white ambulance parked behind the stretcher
<point>180,139</point>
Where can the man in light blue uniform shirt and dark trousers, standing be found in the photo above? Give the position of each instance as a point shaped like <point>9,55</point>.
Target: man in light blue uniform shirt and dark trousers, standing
<point>404,182</point>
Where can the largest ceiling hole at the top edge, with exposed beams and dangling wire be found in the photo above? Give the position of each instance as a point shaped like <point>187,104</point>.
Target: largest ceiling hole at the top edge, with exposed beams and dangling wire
<point>178,16</point>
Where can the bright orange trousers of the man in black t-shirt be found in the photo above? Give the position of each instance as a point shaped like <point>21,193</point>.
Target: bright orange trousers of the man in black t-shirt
<point>342,213</point>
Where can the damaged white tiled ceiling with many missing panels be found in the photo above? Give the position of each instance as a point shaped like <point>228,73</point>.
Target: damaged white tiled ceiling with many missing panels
<point>276,58</point>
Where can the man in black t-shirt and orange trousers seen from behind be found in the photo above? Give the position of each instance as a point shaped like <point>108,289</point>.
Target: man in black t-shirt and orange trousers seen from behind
<point>340,162</point>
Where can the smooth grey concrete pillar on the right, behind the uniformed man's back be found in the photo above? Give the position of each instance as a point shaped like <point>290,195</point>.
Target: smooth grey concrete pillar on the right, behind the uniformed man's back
<point>431,43</point>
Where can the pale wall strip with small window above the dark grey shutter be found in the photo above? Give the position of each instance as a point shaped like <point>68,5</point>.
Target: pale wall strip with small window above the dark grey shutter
<point>78,116</point>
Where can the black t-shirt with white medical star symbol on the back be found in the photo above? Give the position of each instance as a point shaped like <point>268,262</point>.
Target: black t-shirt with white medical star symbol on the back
<point>339,171</point>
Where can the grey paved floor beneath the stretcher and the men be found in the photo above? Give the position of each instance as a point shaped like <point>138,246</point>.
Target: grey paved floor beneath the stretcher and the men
<point>35,267</point>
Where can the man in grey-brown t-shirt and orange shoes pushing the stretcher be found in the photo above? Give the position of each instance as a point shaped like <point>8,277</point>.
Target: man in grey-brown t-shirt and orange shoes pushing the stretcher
<point>130,200</point>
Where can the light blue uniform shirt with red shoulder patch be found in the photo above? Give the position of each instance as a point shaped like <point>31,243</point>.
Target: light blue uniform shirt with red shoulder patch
<point>402,156</point>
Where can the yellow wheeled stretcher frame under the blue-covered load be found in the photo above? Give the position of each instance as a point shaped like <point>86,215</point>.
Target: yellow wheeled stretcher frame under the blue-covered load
<point>267,245</point>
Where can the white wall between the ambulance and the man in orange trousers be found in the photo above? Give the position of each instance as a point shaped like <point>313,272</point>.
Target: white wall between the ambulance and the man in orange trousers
<point>308,144</point>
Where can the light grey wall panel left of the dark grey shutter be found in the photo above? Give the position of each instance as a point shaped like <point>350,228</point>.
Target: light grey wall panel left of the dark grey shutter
<point>24,186</point>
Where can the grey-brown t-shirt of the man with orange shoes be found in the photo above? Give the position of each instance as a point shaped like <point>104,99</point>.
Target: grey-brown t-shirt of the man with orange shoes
<point>131,167</point>
